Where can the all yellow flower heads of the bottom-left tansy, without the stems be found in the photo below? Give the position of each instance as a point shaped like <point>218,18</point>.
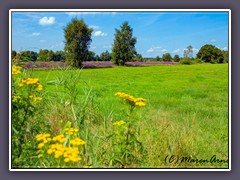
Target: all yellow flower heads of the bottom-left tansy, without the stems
<point>58,147</point>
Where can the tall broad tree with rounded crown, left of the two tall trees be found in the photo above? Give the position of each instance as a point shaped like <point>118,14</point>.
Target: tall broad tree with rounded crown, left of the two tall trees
<point>77,41</point>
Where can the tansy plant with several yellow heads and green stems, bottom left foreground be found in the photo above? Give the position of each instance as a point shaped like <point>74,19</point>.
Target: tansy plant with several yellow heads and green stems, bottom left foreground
<point>63,150</point>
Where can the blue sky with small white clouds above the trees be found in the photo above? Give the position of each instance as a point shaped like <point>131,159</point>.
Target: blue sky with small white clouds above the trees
<point>156,32</point>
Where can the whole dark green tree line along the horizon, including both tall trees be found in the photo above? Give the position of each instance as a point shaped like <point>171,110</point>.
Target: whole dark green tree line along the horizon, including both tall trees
<point>78,39</point>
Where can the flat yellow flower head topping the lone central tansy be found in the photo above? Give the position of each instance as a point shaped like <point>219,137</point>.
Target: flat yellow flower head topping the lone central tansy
<point>132,100</point>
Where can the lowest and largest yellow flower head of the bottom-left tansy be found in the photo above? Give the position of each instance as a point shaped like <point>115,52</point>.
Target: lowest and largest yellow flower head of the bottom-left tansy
<point>69,153</point>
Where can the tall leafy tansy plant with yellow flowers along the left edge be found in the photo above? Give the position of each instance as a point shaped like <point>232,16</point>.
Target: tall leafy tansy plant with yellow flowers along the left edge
<point>26,96</point>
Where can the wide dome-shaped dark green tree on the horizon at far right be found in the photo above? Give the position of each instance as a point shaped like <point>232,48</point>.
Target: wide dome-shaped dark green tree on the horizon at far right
<point>210,53</point>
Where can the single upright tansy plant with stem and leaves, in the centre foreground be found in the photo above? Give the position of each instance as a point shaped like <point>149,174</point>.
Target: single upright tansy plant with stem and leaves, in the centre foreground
<point>126,147</point>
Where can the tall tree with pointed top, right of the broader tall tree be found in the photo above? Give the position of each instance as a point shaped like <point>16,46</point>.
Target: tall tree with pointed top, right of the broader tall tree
<point>124,45</point>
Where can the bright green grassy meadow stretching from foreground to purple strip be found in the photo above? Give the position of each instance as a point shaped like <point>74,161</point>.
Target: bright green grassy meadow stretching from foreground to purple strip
<point>184,123</point>
